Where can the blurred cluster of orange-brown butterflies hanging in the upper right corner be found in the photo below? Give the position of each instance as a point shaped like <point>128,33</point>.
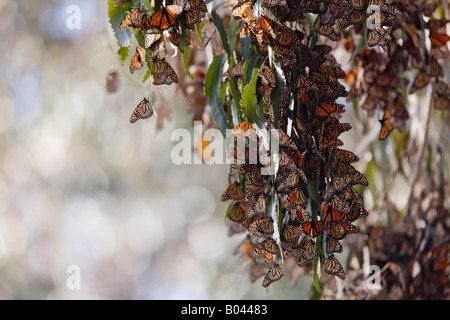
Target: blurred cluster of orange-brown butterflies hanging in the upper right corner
<point>420,47</point>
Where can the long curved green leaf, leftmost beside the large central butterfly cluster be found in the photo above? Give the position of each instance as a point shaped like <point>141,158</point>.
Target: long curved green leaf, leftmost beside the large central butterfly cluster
<point>212,91</point>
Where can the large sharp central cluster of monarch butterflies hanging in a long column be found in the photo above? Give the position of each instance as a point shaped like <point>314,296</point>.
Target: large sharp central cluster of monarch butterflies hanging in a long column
<point>309,205</point>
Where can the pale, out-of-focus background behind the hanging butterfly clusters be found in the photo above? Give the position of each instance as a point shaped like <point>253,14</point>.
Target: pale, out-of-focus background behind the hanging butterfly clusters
<point>80,185</point>
